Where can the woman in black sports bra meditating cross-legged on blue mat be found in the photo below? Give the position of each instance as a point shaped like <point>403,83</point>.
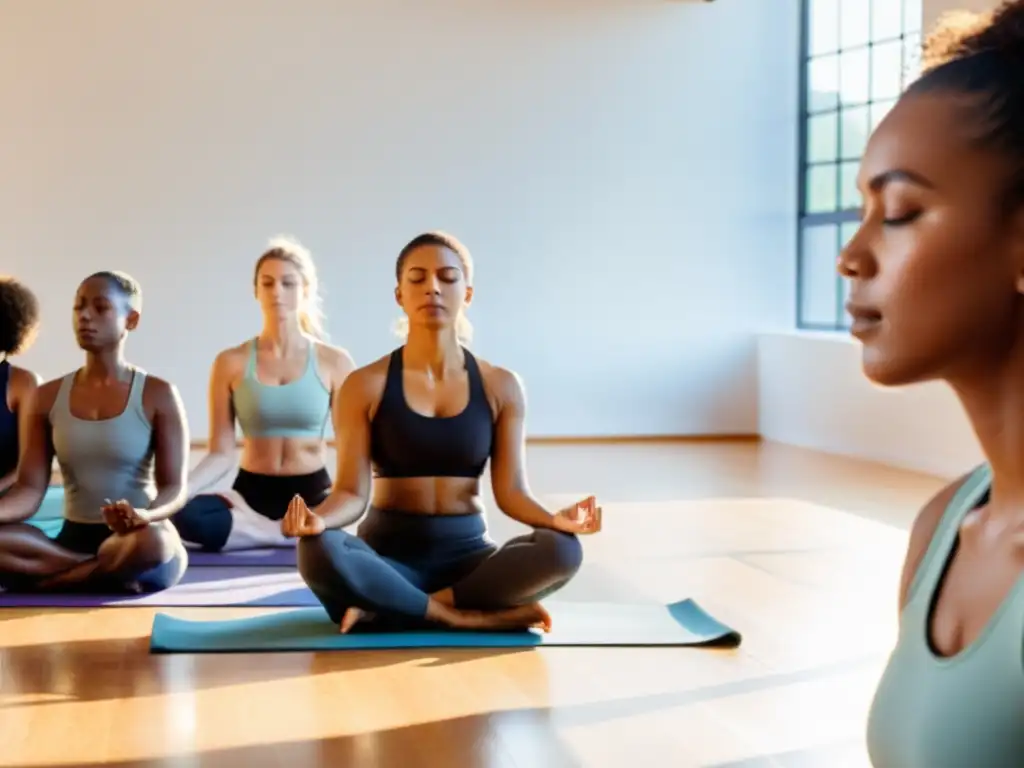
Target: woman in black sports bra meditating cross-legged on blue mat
<point>424,421</point>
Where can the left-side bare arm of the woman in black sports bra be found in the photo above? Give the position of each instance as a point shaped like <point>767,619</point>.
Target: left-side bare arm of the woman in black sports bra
<point>351,494</point>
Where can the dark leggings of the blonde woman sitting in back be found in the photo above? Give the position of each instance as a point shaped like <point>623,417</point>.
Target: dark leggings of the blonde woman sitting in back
<point>206,520</point>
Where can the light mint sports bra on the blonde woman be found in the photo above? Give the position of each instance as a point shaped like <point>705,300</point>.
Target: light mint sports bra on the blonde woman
<point>300,409</point>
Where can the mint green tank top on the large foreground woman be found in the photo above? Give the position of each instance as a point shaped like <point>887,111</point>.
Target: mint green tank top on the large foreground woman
<point>962,712</point>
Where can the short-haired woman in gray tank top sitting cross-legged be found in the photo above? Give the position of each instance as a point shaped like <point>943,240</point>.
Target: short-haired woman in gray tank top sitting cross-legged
<point>120,438</point>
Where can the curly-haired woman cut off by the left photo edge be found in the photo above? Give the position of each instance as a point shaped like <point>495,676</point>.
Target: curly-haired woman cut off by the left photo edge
<point>19,324</point>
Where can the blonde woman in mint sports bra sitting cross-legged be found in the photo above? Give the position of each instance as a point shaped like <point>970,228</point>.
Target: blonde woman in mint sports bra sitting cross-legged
<point>279,388</point>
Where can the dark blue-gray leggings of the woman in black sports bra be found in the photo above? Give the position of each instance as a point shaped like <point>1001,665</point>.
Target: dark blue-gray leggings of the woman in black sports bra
<point>400,559</point>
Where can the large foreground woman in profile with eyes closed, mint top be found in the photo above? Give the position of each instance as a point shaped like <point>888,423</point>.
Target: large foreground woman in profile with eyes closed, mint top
<point>937,293</point>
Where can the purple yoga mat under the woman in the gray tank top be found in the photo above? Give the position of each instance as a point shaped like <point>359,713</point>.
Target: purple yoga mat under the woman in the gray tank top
<point>219,586</point>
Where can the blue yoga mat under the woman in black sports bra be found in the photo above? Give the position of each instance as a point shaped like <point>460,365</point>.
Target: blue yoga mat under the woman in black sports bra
<point>581,624</point>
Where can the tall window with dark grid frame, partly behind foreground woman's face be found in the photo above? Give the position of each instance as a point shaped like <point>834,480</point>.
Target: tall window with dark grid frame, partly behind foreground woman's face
<point>858,57</point>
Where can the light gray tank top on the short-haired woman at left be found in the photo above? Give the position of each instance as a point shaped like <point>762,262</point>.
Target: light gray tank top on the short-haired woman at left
<point>106,459</point>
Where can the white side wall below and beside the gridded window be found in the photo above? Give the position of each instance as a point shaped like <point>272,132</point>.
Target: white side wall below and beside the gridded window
<point>813,392</point>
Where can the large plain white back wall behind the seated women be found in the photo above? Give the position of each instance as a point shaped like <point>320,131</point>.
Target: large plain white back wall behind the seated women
<point>606,160</point>
